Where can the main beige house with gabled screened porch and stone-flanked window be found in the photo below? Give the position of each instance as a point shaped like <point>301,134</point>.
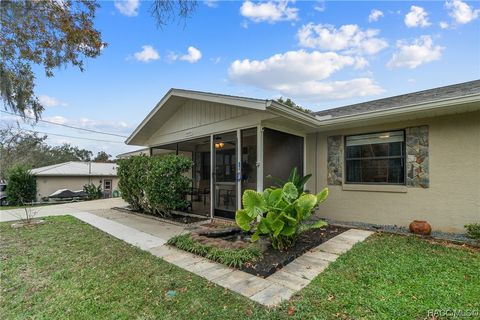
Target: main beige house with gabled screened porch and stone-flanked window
<point>388,161</point>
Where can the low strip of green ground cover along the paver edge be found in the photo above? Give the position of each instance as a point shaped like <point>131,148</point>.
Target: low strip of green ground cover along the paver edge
<point>230,257</point>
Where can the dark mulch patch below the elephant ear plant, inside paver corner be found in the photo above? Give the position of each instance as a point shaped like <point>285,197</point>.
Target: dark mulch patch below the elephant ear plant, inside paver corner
<point>273,260</point>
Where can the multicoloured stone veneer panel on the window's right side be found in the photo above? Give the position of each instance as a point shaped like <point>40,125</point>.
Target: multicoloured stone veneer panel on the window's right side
<point>417,157</point>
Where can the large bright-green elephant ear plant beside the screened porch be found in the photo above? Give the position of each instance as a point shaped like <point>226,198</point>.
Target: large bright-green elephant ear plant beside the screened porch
<point>281,214</point>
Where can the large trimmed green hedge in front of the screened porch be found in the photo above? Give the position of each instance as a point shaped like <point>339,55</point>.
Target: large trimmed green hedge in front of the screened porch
<point>154,184</point>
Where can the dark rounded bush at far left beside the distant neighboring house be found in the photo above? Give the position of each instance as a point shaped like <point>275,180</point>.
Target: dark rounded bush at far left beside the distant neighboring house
<point>21,186</point>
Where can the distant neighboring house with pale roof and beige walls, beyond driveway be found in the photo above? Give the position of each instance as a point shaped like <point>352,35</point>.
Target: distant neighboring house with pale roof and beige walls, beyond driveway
<point>74,175</point>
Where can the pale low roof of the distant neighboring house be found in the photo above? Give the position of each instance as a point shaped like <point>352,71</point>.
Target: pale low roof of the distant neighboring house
<point>77,168</point>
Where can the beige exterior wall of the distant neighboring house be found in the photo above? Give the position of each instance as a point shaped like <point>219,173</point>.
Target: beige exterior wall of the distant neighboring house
<point>46,185</point>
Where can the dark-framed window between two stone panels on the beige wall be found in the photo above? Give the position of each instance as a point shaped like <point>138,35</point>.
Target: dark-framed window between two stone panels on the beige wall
<point>377,158</point>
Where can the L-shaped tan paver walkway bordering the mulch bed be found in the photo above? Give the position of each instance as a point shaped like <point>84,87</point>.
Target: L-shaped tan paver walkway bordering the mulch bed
<point>276,288</point>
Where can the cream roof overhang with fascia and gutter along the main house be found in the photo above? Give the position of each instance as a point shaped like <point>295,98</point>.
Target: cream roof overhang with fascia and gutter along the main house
<point>174,98</point>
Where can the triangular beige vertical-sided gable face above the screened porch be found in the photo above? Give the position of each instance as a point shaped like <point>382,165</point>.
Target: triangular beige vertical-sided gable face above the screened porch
<point>199,118</point>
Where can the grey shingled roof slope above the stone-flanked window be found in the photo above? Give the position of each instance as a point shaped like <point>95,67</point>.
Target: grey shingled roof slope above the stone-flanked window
<point>420,97</point>
